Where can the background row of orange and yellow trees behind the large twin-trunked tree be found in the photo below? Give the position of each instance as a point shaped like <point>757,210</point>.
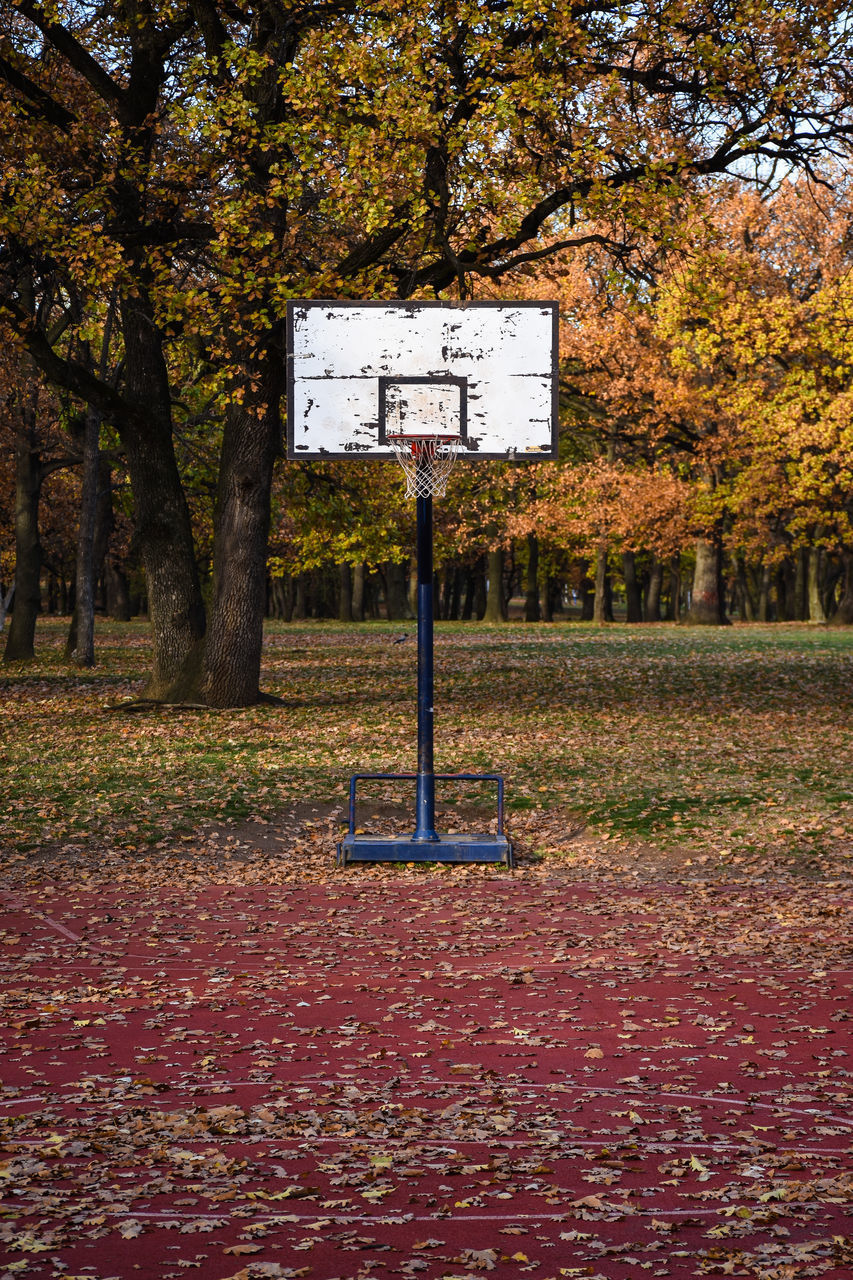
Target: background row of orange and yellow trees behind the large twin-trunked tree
<point>706,461</point>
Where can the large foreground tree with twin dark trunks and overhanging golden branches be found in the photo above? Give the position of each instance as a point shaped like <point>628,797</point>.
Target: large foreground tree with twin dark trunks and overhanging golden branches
<point>208,162</point>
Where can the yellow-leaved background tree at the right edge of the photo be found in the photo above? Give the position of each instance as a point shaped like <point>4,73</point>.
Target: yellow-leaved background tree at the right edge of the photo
<point>760,321</point>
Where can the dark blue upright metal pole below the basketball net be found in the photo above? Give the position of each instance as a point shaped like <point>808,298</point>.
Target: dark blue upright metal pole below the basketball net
<point>426,781</point>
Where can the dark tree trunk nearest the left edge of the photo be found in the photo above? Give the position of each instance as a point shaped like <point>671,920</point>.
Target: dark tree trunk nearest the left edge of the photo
<point>21,642</point>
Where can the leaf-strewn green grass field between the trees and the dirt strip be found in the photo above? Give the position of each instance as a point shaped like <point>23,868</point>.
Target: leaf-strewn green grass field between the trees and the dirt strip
<point>724,746</point>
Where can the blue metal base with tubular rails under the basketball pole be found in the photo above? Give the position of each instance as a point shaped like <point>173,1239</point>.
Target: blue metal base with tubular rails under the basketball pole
<point>468,848</point>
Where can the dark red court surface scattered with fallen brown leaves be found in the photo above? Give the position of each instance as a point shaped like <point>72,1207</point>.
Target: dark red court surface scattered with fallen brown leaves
<point>448,1075</point>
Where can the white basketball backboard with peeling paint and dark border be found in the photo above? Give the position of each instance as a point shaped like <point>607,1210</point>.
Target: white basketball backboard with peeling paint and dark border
<point>483,371</point>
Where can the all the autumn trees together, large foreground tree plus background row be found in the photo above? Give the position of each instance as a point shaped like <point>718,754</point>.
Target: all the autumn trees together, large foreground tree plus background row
<point>175,173</point>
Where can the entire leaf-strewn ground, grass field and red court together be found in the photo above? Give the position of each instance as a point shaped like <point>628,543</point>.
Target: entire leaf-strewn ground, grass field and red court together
<point>632,1055</point>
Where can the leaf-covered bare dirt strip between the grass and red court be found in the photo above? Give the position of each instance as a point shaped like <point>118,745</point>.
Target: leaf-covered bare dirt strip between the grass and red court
<point>299,845</point>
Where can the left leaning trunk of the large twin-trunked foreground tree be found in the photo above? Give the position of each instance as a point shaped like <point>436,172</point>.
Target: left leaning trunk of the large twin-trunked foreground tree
<point>162,518</point>
